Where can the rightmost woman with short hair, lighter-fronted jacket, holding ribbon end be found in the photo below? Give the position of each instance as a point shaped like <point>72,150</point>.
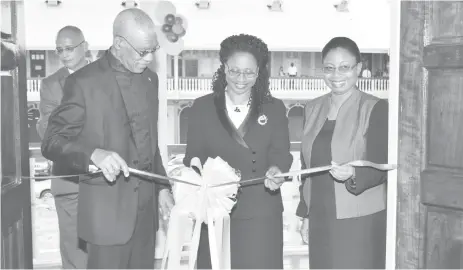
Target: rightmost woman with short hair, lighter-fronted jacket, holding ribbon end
<point>346,206</point>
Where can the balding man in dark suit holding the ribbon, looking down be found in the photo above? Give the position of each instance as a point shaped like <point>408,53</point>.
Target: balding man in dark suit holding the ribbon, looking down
<point>108,118</point>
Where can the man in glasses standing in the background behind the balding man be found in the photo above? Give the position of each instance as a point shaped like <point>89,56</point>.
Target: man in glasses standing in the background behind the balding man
<point>71,48</point>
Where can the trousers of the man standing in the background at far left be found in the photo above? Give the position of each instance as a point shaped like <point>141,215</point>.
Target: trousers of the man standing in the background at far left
<point>72,249</point>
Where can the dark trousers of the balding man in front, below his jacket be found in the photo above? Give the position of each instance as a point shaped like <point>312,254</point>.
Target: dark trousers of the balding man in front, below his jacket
<point>138,252</point>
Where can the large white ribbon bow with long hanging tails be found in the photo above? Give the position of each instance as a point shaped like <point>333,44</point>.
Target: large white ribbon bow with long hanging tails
<point>202,203</point>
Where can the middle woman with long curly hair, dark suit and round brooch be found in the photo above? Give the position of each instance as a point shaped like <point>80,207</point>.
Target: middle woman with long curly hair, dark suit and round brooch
<point>244,125</point>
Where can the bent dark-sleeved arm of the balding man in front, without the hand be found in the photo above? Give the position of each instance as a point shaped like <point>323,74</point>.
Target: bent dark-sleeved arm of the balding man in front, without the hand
<point>61,141</point>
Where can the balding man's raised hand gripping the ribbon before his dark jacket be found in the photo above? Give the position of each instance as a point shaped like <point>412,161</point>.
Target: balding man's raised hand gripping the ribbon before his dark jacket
<point>110,163</point>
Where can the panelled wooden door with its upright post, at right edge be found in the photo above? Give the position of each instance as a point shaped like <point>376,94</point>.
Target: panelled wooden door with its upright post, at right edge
<point>430,178</point>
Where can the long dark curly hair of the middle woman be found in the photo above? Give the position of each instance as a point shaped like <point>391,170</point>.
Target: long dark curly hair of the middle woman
<point>260,92</point>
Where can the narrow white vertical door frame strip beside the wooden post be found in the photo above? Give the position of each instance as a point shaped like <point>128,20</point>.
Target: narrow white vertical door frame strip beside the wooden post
<point>393,98</point>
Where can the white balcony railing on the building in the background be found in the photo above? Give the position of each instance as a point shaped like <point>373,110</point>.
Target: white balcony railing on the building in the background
<point>283,88</point>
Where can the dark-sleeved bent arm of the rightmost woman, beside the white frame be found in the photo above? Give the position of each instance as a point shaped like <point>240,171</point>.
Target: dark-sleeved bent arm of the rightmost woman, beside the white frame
<point>376,151</point>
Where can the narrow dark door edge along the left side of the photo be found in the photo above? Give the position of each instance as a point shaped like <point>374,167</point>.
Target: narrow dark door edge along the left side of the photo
<point>16,240</point>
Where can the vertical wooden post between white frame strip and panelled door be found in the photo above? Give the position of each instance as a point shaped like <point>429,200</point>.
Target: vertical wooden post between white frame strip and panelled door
<point>410,212</point>
